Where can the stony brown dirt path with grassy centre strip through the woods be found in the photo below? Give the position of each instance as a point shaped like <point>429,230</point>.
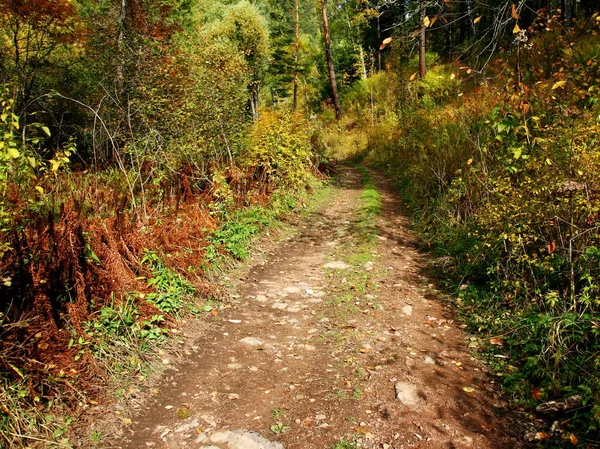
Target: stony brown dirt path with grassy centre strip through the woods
<point>332,342</point>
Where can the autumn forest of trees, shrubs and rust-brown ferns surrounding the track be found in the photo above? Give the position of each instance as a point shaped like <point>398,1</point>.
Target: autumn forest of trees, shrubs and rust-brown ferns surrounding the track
<point>144,145</point>
